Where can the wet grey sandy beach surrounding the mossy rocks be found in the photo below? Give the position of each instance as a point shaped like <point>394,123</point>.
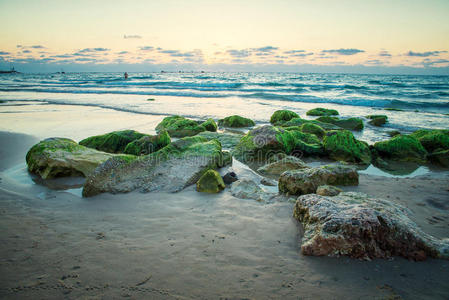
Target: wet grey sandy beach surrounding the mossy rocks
<point>186,245</point>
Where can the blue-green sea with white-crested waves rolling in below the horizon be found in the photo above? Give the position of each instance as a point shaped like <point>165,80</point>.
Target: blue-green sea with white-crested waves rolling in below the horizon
<point>412,102</point>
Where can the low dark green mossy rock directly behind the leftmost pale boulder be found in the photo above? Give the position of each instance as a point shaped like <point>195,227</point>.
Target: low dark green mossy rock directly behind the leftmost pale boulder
<point>113,142</point>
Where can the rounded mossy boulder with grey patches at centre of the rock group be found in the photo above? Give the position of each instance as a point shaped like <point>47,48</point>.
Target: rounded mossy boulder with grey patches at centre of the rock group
<point>261,143</point>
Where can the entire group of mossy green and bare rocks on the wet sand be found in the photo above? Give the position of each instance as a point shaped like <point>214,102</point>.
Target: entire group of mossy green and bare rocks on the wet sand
<point>186,152</point>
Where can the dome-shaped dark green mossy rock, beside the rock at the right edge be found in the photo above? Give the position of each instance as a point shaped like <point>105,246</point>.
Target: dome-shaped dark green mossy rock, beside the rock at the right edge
<point>402,148</point>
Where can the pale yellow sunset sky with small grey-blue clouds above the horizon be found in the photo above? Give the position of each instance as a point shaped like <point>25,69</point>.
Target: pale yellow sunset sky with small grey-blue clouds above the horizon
<point>284,35</point>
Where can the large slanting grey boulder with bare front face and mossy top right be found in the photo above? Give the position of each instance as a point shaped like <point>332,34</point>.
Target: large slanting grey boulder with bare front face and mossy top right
<point>170,169</point>
